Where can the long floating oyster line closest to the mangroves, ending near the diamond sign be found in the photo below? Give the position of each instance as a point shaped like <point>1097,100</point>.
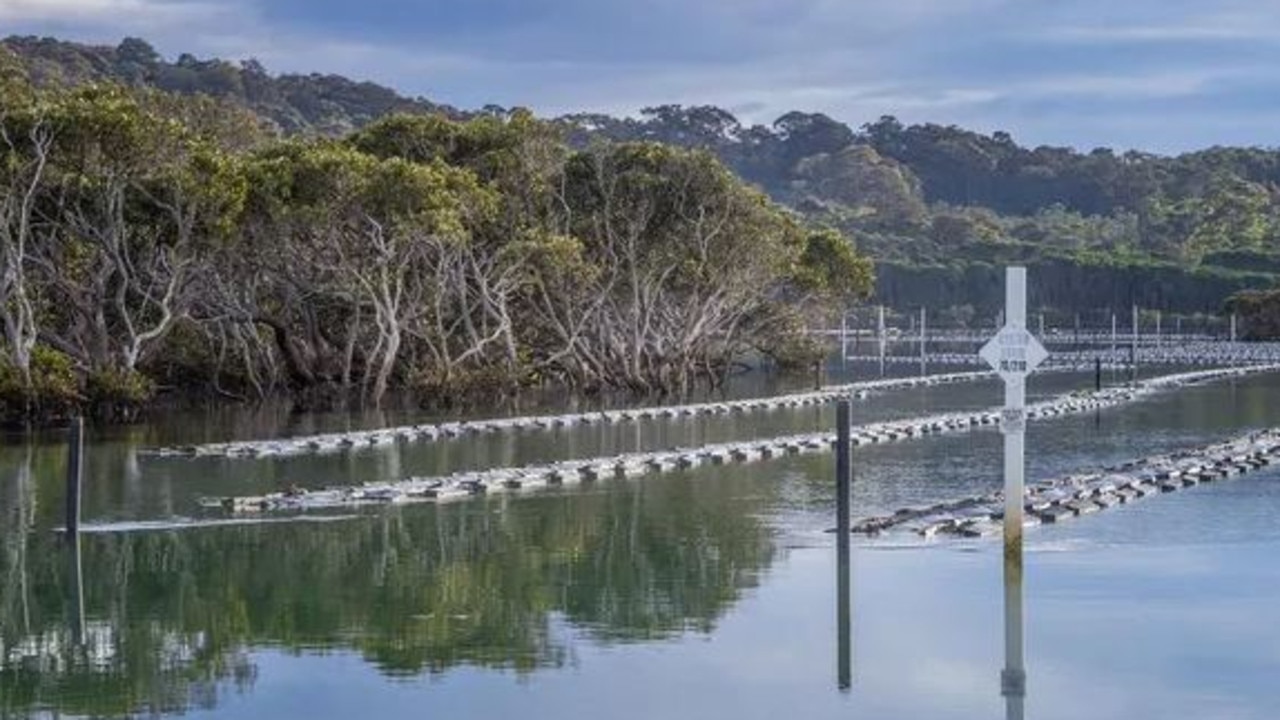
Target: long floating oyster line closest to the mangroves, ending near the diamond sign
<point>355,440</point>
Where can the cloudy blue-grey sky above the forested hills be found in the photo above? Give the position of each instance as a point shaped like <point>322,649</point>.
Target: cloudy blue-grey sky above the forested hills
<point>1162,76</point>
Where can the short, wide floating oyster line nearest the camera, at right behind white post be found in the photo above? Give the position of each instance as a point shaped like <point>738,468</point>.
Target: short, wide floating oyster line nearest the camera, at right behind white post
<point>1071,496</point>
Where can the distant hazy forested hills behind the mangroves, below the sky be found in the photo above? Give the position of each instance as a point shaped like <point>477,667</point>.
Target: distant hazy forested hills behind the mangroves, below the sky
<point>940,208</point>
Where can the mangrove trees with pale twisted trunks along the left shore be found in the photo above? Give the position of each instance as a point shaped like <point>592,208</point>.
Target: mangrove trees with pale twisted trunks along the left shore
<point>168,243</point>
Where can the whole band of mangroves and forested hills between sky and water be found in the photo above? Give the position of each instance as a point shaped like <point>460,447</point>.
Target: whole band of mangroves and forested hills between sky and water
<point>203,227</point>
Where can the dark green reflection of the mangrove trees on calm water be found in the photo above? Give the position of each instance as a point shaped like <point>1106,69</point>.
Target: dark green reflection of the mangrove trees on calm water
<point>172,616</point>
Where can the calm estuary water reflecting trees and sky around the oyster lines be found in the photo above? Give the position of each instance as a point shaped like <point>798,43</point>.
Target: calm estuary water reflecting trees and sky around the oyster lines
<point>703,594</point>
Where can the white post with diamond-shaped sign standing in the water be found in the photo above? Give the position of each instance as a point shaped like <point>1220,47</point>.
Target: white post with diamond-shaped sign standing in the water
<point>1014,353</point>
